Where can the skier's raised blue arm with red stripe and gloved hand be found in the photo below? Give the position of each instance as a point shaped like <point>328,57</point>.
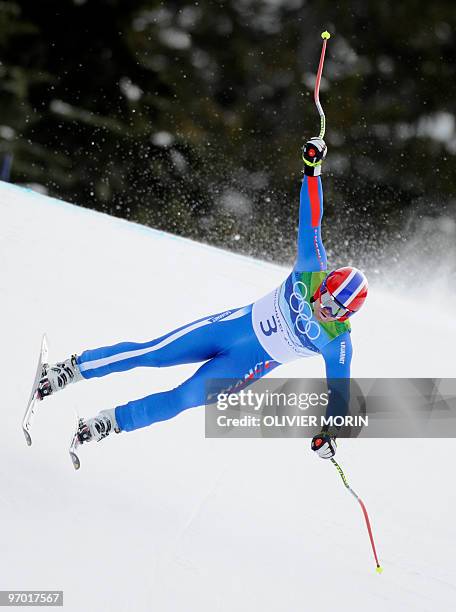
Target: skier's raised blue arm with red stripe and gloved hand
<point>311,255</point>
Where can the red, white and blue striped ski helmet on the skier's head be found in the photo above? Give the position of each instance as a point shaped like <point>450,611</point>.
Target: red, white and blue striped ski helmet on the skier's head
<point>347,288</point>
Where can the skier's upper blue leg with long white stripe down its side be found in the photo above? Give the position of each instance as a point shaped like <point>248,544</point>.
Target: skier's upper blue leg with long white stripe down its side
<point>191,343</point>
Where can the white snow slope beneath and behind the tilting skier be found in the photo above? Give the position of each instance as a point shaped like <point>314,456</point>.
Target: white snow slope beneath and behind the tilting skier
<point>163,519</point>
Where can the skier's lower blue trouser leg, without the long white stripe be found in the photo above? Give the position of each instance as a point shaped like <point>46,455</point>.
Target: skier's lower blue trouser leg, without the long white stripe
<point>245,359</point>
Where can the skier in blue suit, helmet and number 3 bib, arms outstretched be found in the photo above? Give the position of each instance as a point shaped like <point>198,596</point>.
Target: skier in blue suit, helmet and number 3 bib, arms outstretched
<point>306,316</point>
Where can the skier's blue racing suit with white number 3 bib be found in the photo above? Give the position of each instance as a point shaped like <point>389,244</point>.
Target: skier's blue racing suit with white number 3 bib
<point>241,343</point>
